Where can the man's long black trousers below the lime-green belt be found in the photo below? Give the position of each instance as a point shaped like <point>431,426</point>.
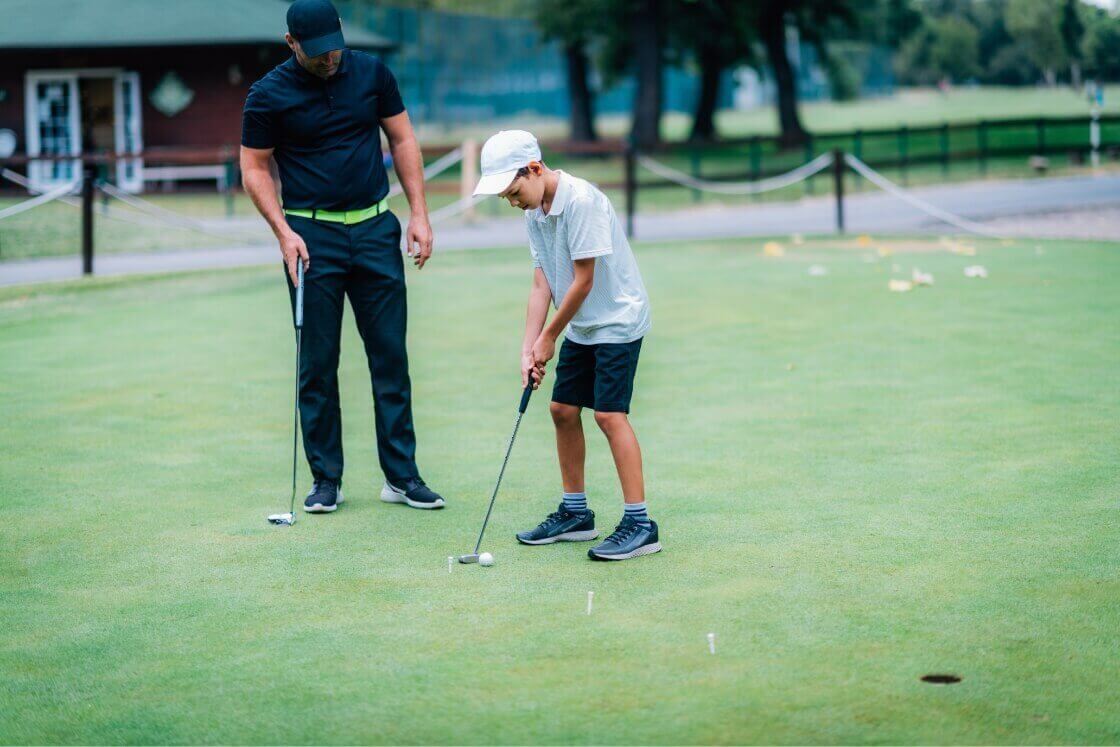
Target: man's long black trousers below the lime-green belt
<point>361,262</point>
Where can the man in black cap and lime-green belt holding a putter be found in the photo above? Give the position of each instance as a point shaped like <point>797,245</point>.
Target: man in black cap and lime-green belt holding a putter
<point>318,115</point>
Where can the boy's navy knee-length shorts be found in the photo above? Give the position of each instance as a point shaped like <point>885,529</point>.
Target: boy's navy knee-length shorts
<point>599,377</point>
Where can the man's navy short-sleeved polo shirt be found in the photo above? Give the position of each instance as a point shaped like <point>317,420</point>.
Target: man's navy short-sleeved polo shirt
<point>325,133</point>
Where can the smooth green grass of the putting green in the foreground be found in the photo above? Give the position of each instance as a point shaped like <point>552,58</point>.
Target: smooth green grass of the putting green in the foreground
<point>856,489</point>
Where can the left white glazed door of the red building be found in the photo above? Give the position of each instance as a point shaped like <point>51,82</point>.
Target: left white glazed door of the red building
<point>53,122</point>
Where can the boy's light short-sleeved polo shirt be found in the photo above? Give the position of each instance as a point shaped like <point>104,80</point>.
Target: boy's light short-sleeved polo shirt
<point>582,225</point>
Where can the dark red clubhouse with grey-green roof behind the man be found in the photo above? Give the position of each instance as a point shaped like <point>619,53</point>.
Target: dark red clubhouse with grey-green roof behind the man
<point>134,78</point>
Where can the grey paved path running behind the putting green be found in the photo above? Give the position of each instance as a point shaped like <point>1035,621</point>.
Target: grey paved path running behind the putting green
<point>1063,204</point>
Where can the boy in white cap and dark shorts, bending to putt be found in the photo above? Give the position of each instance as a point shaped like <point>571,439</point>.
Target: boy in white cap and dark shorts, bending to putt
<point>584,265</point>
